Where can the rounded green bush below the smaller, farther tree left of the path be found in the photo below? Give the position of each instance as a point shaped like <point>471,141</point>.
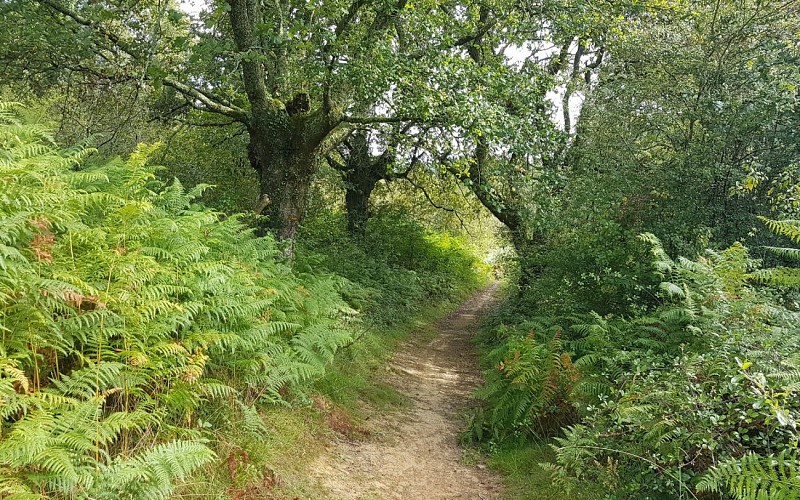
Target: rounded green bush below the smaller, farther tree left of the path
<point>399,267</point>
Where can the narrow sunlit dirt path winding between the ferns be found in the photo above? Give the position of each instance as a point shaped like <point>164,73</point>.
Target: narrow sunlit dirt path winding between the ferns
<point>415,454</point>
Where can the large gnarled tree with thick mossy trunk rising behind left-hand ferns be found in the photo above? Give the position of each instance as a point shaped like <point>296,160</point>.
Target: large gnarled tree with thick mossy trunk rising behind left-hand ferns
<point>287,71</point>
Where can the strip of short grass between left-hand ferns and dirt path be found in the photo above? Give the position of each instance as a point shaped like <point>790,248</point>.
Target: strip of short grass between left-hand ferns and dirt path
<point>269,455</point>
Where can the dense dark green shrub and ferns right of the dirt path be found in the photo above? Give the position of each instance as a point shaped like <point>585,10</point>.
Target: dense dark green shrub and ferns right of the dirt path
<point>693,395</point>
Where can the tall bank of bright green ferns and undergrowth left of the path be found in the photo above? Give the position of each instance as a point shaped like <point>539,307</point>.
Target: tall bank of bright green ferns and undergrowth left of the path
<point>148,341</point>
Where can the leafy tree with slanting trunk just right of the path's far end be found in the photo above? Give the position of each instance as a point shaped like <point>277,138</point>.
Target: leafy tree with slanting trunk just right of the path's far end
<point>509,149</point>
